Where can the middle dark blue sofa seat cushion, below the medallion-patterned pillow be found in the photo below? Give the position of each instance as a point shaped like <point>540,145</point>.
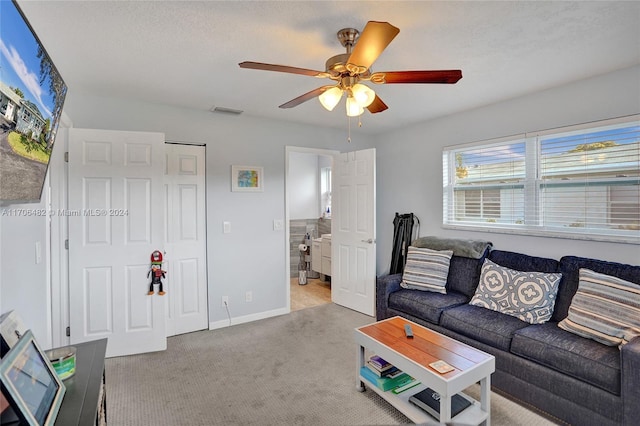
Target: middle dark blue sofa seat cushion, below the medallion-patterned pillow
<point>483,325</point>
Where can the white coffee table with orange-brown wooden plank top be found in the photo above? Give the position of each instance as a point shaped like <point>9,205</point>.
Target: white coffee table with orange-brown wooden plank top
<point>387,339</point>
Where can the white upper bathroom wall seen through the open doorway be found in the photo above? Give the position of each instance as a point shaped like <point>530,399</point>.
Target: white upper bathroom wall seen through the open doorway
<point>303,186</point>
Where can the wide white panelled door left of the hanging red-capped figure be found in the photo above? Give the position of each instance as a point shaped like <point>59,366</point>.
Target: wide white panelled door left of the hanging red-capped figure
<point>116,220</point>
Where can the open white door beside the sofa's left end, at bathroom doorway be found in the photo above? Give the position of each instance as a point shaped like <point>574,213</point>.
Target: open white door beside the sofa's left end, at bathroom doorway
<point>353,229</point>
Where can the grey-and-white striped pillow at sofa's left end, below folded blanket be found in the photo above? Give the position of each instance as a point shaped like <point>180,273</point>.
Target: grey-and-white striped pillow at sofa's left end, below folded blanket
<point>426,269</point>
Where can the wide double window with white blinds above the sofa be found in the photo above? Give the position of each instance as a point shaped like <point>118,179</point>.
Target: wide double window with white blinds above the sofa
<point>577,182</point>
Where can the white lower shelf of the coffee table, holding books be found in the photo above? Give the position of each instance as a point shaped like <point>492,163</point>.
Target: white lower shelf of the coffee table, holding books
<point>470,415</point>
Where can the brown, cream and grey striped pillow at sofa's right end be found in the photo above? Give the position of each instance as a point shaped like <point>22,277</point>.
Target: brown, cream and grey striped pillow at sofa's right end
<point>605,309</point>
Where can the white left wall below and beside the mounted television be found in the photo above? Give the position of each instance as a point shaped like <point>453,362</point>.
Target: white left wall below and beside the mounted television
<point>28,287</point>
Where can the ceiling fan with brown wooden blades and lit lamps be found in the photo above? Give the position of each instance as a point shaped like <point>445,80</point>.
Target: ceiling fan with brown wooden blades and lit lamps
<point>350,68</point>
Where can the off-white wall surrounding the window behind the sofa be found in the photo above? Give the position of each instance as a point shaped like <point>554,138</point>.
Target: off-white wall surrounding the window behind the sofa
<point>409,173</point>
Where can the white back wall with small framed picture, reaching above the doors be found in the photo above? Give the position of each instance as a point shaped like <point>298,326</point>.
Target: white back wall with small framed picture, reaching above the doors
<point>252,256</point>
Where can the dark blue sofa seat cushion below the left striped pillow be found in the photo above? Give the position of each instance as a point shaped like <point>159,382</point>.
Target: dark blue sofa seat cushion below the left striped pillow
<point>425,305</point>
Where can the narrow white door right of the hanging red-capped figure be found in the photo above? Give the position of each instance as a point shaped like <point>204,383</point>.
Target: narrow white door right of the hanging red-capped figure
<point>186,239</point>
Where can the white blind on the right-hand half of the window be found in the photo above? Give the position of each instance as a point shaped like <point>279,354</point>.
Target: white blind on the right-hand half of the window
<point>589,179</point>
